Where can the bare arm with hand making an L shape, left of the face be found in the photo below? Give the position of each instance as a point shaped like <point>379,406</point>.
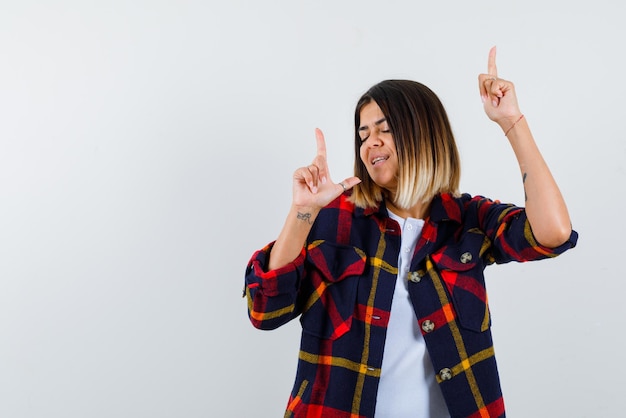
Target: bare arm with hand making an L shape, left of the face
<point>312,190</point>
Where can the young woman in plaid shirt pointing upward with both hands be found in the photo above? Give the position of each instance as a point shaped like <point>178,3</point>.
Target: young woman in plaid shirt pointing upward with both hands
<point>385,269</point>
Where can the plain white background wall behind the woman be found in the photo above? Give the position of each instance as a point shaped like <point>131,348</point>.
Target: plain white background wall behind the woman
<point>146,151</point>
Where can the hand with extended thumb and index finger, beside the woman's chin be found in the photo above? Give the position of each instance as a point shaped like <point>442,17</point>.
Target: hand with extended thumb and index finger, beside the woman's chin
<point>312,186</point>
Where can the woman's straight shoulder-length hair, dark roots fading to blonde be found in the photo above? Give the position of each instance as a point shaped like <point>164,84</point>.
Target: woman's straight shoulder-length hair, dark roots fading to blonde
<point>428,157</point>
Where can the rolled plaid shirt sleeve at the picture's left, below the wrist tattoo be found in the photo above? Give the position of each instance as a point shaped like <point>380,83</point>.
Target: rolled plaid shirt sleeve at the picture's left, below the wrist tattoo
<point>272,294</point>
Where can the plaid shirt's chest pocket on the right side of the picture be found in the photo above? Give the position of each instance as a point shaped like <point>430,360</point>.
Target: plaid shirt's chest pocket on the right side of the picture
<point>460,266</point>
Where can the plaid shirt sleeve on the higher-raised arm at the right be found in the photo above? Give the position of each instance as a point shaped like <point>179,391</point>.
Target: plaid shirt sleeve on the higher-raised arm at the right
<point>512,238</point>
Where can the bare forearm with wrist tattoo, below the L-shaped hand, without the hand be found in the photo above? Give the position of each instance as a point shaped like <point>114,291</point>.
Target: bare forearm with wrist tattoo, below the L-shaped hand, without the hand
<point>293,236</point>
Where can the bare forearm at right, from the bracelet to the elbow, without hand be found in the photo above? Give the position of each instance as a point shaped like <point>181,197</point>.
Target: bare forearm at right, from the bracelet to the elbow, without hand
<point>545,207</point>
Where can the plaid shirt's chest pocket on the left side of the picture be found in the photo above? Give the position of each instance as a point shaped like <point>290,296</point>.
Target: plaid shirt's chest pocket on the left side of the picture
<point>333,272</point>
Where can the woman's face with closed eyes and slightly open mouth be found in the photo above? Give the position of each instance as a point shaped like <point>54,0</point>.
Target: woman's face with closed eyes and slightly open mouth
<point>378,149</point>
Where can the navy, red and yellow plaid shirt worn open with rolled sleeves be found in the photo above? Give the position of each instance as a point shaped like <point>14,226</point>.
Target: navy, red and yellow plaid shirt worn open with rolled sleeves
<point>342,285</point>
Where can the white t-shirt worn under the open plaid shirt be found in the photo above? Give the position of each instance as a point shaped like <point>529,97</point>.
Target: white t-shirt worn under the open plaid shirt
<point>407,388</point>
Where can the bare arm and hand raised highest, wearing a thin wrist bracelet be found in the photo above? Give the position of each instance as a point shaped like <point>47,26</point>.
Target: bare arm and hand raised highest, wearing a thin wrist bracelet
<point>545,207</point>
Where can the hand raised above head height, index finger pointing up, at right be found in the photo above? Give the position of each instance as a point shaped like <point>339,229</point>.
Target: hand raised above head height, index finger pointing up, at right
<point>498,95</point>
